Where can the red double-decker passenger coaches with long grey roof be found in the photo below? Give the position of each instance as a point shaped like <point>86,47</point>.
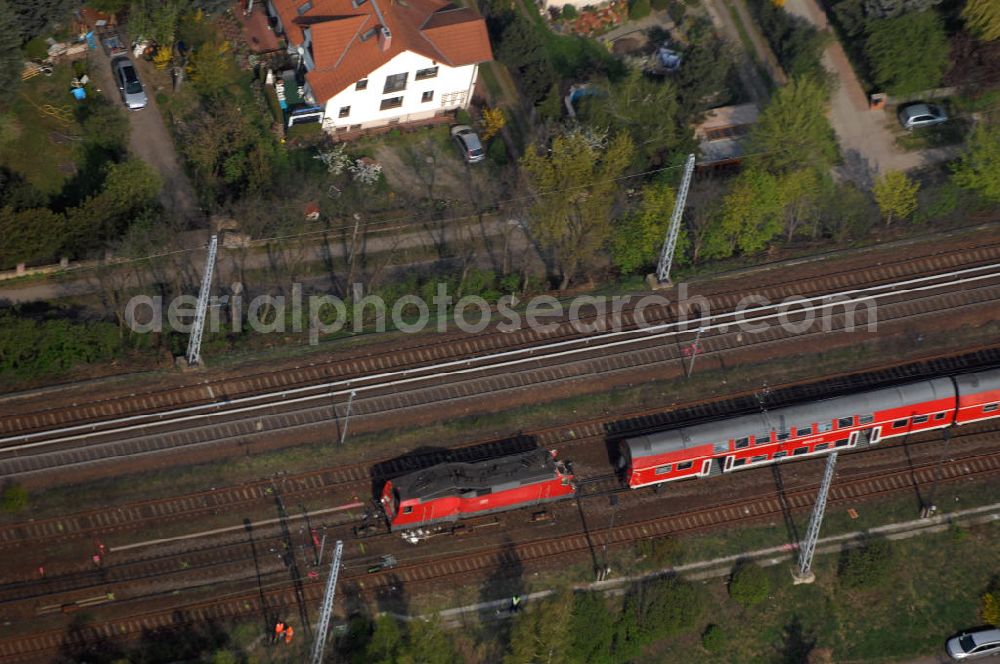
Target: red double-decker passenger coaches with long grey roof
<point>808,429</point>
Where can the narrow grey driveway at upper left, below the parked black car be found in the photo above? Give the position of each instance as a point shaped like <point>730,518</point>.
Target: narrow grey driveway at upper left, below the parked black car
<point>150,142</point>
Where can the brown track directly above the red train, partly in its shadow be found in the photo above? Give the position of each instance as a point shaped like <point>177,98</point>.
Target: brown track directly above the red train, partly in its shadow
<point>357,478</point>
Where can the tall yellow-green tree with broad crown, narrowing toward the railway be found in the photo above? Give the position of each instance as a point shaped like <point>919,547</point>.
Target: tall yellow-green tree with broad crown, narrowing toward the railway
<point>574,191</point>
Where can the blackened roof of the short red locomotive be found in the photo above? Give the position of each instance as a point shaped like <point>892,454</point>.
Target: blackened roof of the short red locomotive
<point>453,479</point>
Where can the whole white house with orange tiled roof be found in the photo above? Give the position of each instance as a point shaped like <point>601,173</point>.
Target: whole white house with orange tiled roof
<point>371,63</point>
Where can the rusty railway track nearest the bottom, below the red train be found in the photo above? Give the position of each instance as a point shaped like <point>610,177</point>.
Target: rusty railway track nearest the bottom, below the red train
<point>252,602</point>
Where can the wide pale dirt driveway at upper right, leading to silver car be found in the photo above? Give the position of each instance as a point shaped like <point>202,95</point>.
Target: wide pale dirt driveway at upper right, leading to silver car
<point>866,142</point>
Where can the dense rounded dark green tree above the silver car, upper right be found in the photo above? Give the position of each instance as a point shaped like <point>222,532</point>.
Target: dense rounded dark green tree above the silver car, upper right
<point>909,53</point>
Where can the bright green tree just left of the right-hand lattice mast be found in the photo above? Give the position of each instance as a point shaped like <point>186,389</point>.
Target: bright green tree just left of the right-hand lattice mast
<point>638,238</point>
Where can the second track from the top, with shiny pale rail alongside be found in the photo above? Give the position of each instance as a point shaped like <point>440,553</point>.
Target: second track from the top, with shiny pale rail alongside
<point>602,359</point>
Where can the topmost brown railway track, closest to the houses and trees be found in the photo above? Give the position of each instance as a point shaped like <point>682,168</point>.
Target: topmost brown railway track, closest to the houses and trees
<point>417,352</point>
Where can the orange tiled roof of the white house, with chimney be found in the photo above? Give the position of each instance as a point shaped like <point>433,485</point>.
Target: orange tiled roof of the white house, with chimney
<point>344,51</point>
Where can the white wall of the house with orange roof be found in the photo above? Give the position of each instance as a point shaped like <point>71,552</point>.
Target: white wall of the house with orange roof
<point>449,90</point>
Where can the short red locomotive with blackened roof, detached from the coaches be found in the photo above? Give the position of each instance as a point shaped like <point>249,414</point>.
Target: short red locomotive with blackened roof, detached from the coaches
<point>452,491</point>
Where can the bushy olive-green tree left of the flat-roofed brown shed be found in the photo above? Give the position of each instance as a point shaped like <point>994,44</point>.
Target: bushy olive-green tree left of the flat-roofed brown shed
<point>644,108</point>
